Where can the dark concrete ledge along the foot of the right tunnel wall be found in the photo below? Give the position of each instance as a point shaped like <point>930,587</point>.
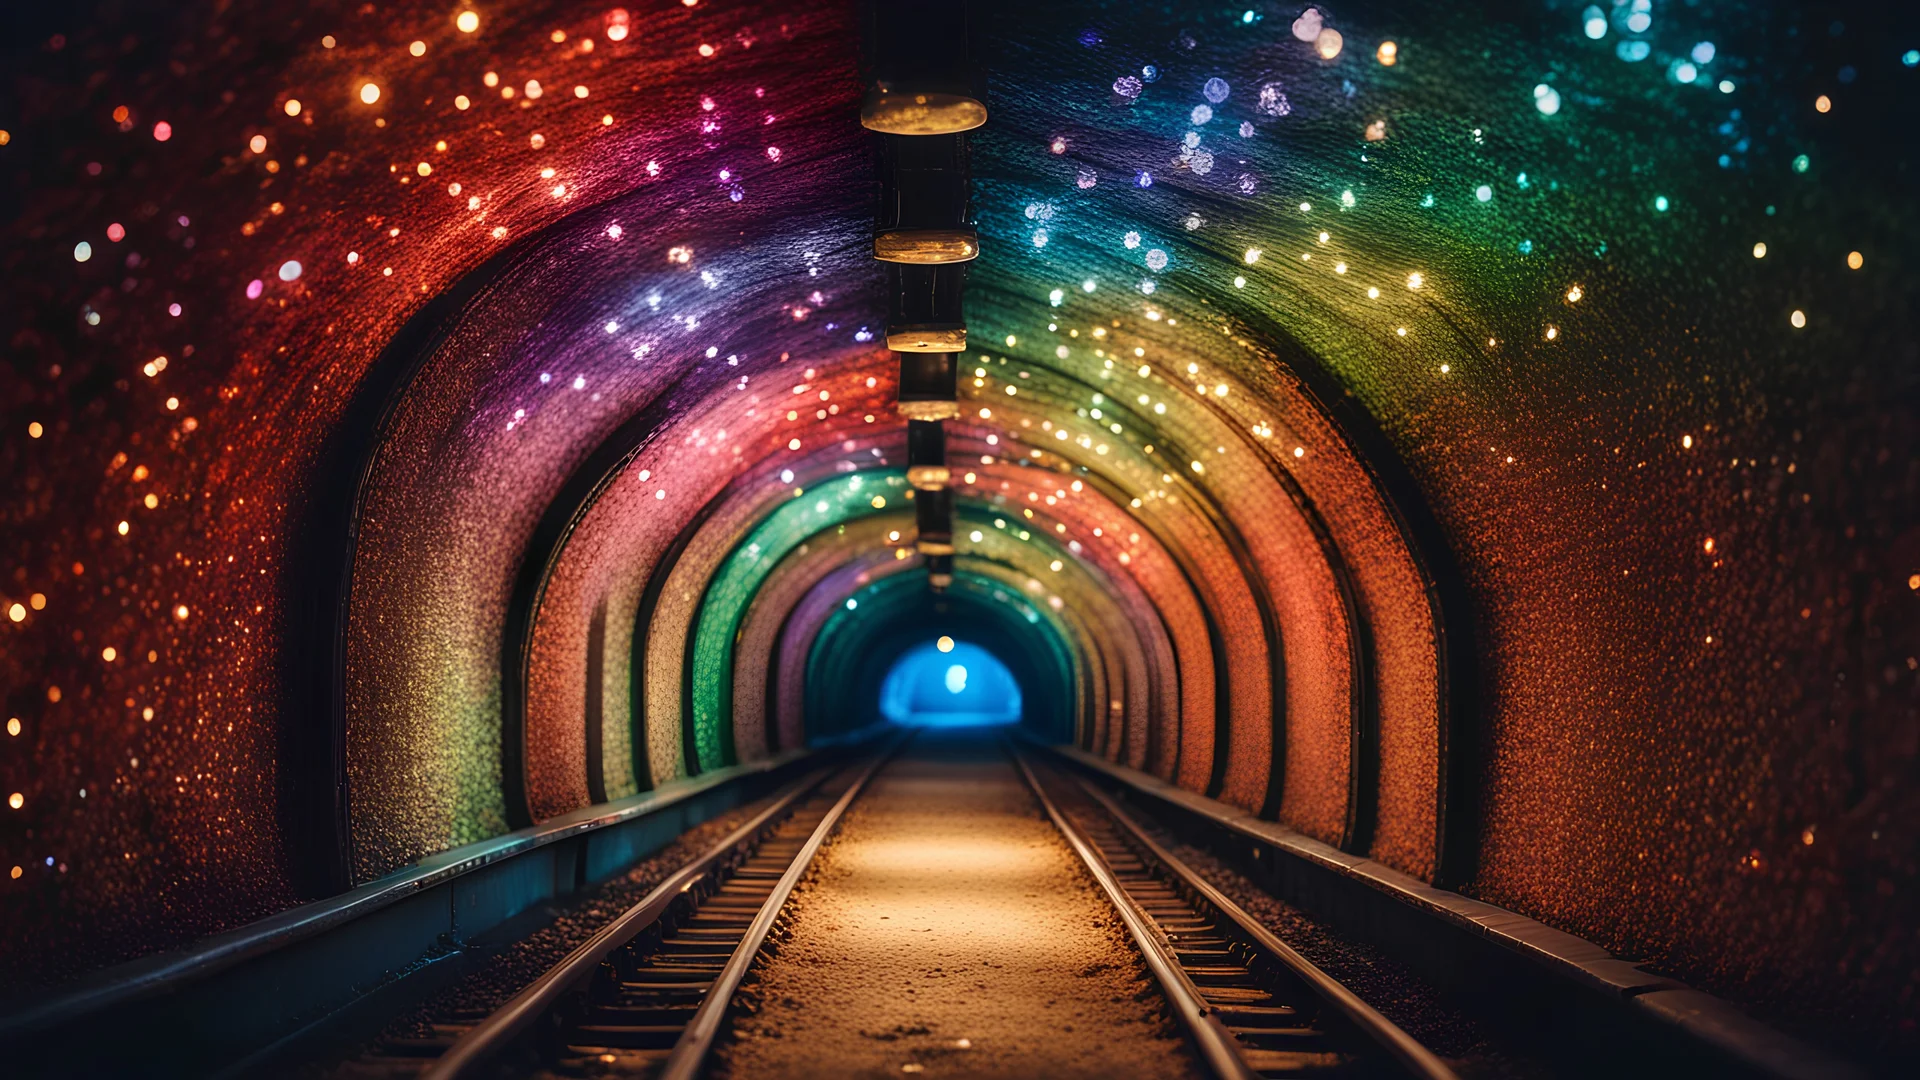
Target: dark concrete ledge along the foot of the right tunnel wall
<point>1560,985</point>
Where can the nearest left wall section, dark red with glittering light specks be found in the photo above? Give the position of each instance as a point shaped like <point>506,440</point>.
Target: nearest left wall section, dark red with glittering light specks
<point>226,214</point>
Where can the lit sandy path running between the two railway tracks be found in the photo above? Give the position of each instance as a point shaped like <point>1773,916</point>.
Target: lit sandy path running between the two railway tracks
<point>948,931</point>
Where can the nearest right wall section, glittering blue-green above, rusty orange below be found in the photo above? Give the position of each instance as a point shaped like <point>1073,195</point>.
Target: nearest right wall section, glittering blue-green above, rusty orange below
<point>1595,287</point>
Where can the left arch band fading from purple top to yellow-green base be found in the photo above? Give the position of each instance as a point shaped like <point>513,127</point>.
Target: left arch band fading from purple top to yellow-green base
<point>531,381</point>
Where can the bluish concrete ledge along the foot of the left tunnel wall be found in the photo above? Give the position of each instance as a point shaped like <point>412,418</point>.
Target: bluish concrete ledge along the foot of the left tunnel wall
<point>233,994</point>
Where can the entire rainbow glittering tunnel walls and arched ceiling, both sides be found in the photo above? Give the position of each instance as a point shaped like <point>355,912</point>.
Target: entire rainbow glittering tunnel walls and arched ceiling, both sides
<point>1477,454</point>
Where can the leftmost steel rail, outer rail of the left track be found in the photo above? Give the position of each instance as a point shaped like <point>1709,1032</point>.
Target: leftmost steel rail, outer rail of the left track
<point>494,1035</point>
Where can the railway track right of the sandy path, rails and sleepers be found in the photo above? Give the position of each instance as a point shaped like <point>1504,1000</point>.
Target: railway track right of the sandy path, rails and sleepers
<point>1249,1002</point>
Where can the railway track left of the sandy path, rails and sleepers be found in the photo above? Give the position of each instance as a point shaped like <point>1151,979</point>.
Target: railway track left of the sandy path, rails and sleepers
<point>648,994</point>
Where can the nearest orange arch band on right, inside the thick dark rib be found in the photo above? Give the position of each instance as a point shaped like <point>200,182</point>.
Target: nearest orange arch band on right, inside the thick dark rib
<point>1404,685</point>
